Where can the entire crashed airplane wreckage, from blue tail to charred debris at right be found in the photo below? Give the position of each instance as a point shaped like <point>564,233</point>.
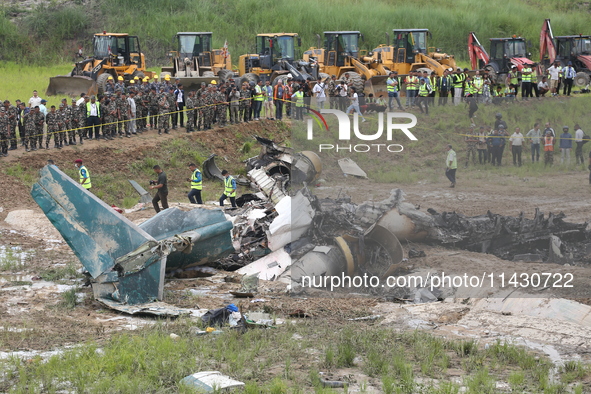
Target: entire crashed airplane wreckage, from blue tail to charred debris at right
<point>277,235</point>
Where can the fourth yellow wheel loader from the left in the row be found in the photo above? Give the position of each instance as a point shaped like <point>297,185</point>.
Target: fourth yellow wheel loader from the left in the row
<point>341,54</point>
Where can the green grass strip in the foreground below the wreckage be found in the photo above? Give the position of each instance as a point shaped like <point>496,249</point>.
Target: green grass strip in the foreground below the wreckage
<point>270,361</point>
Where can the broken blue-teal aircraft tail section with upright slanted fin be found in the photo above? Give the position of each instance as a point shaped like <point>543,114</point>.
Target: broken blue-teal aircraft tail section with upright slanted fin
<point>127,263</point>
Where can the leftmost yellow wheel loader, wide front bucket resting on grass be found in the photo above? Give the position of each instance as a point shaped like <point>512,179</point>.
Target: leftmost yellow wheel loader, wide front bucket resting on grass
<point>115,54</point>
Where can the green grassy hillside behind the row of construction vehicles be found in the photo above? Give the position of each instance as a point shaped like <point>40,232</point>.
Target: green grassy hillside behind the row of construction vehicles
<point>62,28</point>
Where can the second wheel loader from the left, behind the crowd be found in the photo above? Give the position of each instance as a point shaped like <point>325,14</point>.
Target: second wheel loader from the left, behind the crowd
<point>194,61</point>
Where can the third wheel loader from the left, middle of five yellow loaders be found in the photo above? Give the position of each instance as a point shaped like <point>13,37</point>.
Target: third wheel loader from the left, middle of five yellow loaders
<point>275,57</point>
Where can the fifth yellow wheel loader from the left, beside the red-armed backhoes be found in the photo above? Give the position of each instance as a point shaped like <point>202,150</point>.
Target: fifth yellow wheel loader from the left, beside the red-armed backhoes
<point>409,52</point>
